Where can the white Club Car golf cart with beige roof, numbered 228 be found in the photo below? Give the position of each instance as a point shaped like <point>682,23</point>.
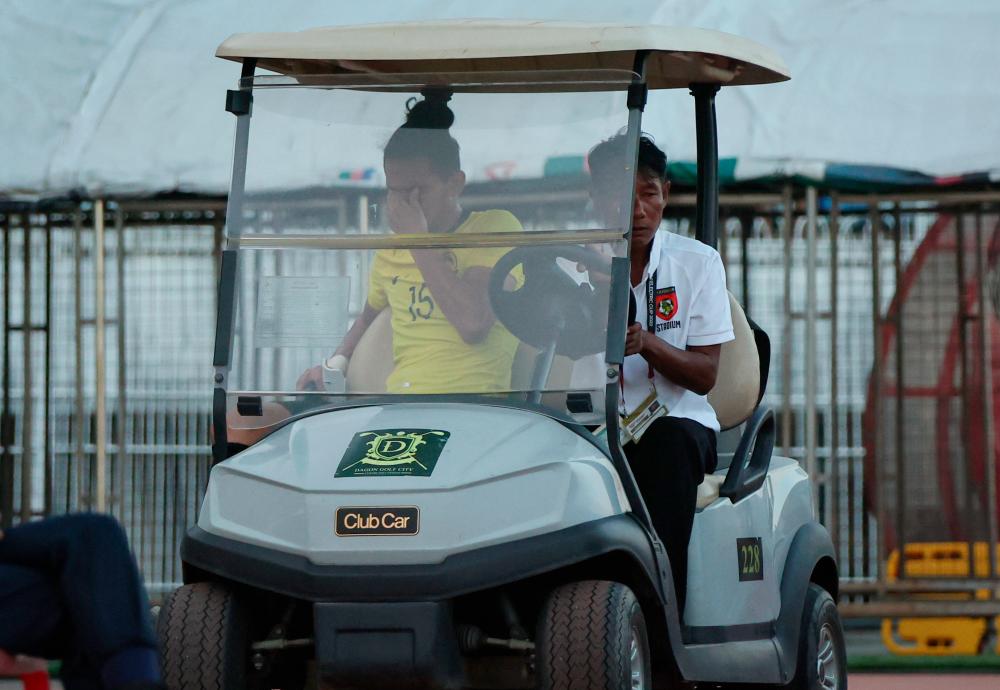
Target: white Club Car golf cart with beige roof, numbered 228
<point>390,532</point>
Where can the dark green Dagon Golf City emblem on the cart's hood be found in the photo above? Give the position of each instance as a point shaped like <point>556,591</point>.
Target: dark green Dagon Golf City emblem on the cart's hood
<point>392,453</point>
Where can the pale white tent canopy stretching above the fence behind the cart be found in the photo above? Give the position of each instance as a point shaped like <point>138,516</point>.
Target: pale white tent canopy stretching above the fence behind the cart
<point>126,96</point>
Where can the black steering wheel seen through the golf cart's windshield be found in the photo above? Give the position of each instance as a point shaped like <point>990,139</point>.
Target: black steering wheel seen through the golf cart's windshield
<point>550,306</point>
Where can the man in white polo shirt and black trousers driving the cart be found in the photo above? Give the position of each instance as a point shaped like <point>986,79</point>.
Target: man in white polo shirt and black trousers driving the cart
<point>672,348</point>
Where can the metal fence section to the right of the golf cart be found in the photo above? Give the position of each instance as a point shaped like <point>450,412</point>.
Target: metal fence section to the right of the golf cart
<point>894,416</point>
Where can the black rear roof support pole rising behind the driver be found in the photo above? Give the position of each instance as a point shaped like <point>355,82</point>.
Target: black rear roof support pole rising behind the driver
<point>706,218</point>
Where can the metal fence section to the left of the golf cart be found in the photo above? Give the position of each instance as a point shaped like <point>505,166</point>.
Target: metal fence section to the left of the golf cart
<point>158,325</point>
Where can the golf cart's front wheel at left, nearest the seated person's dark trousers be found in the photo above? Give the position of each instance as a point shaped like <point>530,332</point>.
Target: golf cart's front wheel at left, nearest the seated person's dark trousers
<point>203,638</point>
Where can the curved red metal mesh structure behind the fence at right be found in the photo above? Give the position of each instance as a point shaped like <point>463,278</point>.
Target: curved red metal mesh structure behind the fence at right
<point>925,423</point>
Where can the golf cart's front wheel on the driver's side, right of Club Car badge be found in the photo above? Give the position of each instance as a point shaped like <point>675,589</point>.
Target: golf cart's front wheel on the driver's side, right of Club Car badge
<point>592,636</point>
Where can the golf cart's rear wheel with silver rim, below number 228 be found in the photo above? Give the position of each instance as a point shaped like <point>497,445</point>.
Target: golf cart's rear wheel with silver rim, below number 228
<point>822,663</point>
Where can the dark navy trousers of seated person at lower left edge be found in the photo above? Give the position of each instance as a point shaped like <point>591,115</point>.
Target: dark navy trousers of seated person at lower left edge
<point>69,590</point>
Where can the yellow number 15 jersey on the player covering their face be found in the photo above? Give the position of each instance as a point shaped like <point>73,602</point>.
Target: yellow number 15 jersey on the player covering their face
<point>429,354</point>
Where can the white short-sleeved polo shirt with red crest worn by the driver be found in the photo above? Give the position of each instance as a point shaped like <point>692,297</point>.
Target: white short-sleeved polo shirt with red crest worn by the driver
<point>691,307</point>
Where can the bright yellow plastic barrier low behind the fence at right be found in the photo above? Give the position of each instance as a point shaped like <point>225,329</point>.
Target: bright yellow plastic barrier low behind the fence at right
<point>939,636</point>
